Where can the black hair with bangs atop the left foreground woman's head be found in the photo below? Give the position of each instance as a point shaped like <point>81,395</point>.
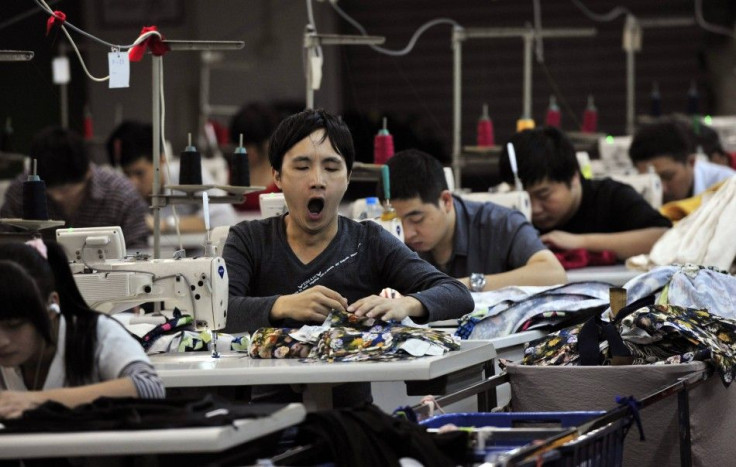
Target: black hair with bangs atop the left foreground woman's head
<point>22,299</point>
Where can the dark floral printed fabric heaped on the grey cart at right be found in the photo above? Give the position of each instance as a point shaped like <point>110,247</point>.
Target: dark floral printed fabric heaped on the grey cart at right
<point>661,334</point>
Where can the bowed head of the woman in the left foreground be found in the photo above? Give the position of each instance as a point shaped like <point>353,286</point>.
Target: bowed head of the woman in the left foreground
<point>27,296</point>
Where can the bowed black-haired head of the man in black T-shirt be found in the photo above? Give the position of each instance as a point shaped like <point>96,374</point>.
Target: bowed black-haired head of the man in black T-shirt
<point>549,170</point>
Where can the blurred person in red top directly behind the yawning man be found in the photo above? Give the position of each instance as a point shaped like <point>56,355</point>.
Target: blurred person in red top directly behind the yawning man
<point>255,122</point>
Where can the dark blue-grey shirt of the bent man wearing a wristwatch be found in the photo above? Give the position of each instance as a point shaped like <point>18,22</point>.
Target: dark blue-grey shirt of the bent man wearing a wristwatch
<point>488,239</point>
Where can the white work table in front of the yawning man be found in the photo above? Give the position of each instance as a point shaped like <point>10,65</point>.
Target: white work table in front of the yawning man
<point>201,370</point>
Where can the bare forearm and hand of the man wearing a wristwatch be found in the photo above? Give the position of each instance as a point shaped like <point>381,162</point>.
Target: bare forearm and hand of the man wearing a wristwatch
<point>542,268</point>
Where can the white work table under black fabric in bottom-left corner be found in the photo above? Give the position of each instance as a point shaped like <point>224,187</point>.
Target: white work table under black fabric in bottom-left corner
<point>139,442</point>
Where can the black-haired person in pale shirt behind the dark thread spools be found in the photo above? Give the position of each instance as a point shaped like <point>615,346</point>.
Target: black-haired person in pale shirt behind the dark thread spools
<point>129,146</point>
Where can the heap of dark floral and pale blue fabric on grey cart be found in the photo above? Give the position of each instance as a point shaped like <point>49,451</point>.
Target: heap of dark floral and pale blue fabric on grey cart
<point>677,314</point>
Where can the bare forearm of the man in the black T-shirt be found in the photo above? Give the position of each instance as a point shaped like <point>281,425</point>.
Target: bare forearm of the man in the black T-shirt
<point>624,244</point>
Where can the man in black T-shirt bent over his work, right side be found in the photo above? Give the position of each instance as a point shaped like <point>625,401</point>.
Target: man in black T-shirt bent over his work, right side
<point>572,212</point>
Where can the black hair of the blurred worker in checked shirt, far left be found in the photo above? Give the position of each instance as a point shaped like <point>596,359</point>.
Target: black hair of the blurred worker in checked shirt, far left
<point>62,157</point>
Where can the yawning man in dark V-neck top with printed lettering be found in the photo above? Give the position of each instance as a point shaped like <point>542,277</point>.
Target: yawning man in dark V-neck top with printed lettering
<point>293,269</point>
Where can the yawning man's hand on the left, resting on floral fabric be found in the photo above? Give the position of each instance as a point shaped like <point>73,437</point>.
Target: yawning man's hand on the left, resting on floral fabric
<point>311,305</point>
